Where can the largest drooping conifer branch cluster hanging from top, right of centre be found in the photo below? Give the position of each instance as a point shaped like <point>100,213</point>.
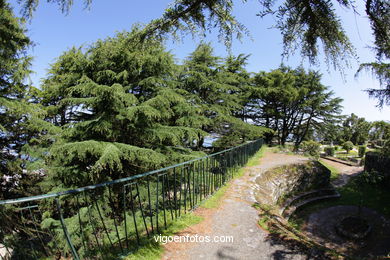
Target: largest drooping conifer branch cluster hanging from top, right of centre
<point>304,23</point>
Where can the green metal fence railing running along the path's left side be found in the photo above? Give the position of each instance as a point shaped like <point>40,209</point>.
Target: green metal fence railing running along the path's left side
<point>109,219</point>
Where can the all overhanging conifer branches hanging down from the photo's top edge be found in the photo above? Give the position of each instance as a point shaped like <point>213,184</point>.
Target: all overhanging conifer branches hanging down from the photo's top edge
<point>303,24</point>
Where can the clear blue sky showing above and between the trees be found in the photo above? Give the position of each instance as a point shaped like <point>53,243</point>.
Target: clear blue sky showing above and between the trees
<point>54,32</point>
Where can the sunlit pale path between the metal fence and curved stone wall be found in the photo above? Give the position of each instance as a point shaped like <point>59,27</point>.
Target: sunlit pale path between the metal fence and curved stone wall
<point>235,218</point>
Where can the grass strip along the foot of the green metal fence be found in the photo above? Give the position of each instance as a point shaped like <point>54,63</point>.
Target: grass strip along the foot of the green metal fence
<point>152,250</point>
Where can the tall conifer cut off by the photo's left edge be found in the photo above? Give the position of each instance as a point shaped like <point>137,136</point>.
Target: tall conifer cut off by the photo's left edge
<point>20,125</point>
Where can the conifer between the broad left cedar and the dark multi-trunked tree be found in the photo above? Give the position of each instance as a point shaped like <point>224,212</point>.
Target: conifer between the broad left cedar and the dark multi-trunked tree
<point>217,88</point>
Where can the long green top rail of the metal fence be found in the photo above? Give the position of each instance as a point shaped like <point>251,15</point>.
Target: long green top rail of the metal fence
<point>126,179</point>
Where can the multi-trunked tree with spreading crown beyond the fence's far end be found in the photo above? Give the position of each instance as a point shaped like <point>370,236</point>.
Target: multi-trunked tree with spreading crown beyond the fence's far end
<point>292,103</point>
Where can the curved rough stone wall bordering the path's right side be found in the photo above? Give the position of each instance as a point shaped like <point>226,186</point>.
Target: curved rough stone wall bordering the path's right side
<point>276,185</point>
